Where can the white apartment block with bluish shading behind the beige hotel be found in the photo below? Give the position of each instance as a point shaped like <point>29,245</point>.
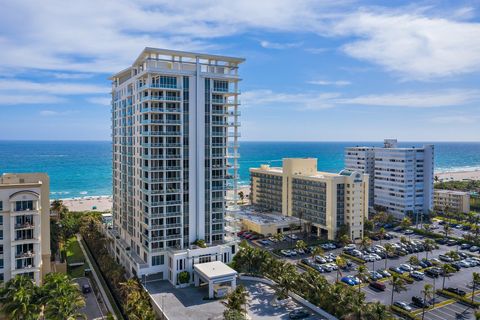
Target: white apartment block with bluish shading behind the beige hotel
<point>402,177</point>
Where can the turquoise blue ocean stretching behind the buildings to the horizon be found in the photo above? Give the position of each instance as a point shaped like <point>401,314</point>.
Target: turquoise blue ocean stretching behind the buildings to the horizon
<point>83,168</point>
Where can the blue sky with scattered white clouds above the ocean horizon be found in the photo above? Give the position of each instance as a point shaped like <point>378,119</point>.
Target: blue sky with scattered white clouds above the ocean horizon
<point>315,70</point>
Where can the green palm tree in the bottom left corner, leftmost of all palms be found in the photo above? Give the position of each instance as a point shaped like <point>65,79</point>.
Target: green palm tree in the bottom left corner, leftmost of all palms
<point>19,299</point>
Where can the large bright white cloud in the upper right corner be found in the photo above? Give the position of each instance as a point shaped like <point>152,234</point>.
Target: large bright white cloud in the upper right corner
<point>412,45</point>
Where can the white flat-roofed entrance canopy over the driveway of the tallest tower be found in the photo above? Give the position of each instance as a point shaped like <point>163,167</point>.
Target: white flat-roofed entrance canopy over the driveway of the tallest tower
<point>217,274</point>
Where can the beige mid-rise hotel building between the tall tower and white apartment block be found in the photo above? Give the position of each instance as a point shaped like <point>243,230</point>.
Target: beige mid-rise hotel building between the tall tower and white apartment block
<point>327,201</point>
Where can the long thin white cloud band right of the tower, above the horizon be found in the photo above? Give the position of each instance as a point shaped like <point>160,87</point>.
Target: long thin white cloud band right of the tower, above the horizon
<point>315,100</point>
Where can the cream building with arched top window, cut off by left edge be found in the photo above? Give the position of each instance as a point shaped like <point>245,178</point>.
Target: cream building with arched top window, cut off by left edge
<point>24,226</point>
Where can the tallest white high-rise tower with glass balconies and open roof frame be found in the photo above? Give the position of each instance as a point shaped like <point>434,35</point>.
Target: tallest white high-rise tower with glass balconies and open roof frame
<point>175,153</point>
